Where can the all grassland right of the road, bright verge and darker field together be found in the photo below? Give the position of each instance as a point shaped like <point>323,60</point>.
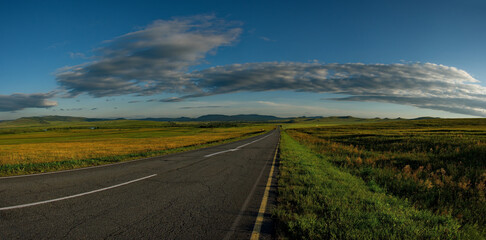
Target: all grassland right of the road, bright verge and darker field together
<point>424,177</point>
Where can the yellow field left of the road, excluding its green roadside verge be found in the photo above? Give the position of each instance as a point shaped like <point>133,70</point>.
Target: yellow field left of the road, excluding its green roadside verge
<point>78,145</point>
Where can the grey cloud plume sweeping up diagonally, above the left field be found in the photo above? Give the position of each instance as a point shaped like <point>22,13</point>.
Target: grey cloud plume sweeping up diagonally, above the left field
<point>149,61</point>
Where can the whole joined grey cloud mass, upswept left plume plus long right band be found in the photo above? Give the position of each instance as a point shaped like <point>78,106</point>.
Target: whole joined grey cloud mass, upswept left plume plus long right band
<point>158,58</point>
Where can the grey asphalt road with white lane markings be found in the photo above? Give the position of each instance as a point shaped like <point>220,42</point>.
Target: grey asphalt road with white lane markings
<point>211,193</point>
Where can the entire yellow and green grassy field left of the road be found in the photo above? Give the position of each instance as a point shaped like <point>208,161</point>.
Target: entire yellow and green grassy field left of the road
<point>33,146</point>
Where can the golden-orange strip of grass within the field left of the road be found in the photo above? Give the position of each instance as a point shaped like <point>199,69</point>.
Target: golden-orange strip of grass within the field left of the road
<point>59,151</point>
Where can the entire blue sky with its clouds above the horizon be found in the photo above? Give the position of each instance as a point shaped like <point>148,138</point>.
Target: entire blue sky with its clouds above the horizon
<point>286,58</point>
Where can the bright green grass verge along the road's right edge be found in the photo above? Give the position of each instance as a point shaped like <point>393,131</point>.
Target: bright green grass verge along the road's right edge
<point>317,200</point>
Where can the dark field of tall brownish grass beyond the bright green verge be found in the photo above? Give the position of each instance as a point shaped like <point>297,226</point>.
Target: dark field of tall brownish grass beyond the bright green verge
<point>438,165</point>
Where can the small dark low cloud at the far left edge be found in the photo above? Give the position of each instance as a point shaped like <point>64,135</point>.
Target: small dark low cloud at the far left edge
<point>19,101</point>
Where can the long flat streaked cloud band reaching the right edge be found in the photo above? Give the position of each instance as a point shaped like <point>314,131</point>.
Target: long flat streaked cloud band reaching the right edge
<point>427,85</point>
